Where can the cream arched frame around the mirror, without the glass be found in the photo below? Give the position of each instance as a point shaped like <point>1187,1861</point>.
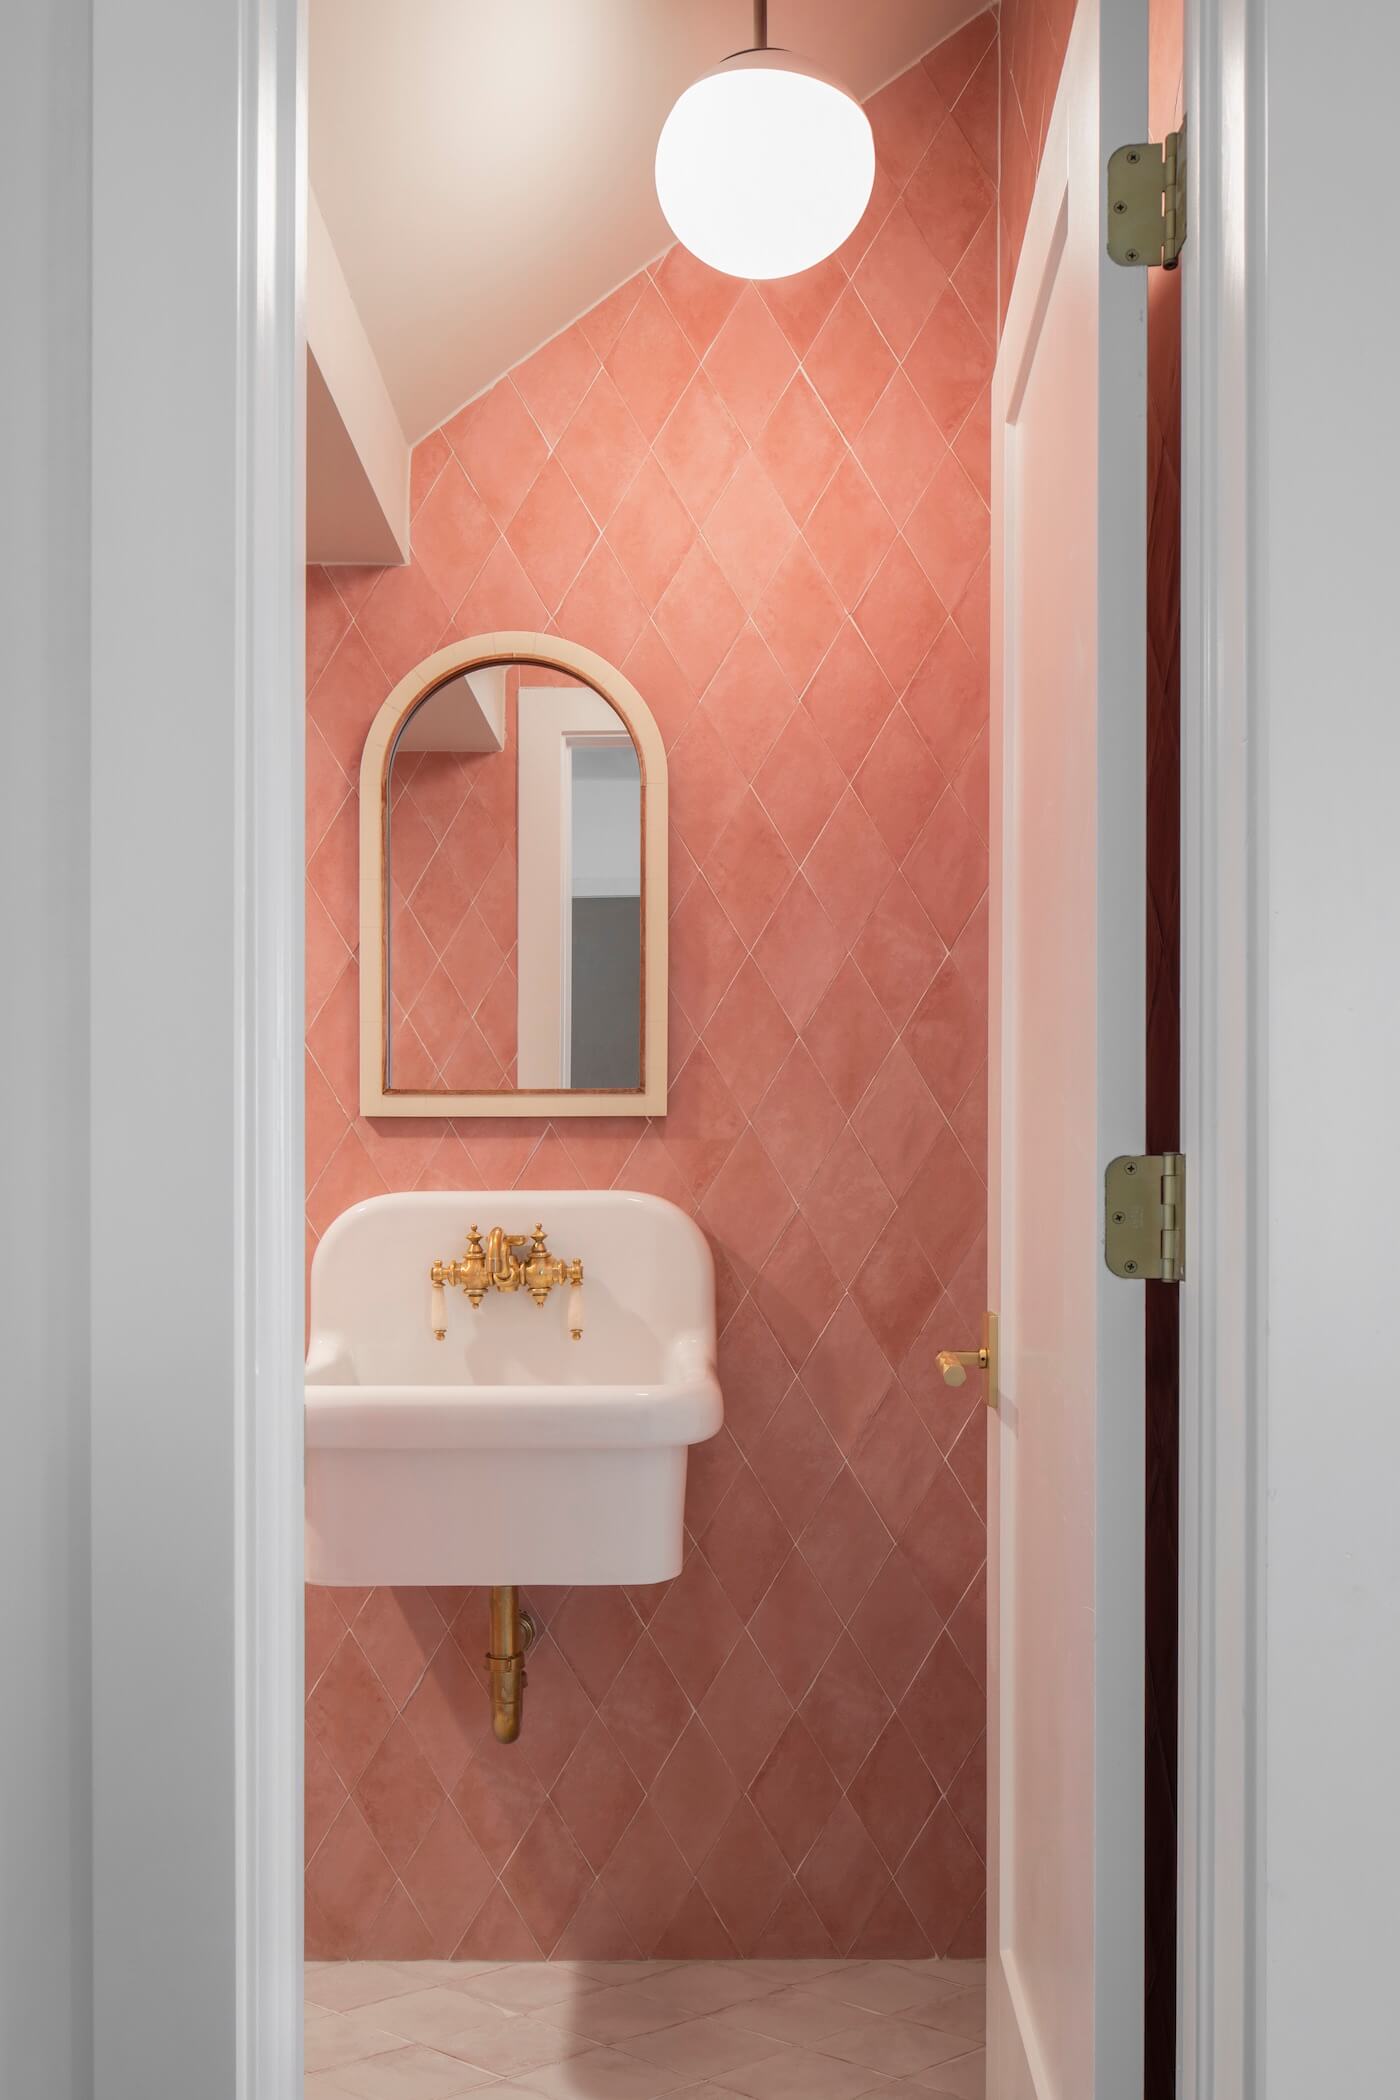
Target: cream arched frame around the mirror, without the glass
<point>622,696</point>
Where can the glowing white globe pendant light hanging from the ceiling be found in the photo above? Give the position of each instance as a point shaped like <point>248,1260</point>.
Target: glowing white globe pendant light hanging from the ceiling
<point>765,165</point>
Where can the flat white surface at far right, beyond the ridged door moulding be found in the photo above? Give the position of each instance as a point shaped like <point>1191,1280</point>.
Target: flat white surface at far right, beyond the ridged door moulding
<point>1325,692</point>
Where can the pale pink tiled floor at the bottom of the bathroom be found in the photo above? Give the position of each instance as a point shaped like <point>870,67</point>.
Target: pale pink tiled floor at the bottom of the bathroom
<point>645,2030</point>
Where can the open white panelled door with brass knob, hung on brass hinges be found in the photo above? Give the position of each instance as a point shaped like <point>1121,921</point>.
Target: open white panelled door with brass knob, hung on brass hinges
<point>1067,975</point>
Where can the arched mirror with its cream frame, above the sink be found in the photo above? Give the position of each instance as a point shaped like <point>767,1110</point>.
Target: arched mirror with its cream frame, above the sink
<point>513,889</point>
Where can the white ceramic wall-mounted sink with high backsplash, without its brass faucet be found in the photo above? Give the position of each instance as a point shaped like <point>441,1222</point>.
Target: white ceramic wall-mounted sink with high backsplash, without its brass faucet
<point>507,1454</point>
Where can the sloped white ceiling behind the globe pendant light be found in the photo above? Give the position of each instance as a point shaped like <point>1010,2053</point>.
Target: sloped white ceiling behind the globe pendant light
<point>486,165</point>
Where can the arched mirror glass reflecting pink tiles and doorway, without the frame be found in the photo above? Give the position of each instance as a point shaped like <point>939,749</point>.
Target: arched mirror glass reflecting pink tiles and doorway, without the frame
<point>515,889</point>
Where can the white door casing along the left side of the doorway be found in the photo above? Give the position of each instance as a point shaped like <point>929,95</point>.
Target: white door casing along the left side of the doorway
<point>198,1045</point>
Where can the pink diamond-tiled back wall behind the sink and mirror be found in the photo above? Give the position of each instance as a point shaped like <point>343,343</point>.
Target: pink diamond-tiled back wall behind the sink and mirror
<point>769,507</point>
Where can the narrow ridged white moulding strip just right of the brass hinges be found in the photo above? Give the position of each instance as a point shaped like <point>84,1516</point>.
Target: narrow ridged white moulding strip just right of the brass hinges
<point>1221,1055</point>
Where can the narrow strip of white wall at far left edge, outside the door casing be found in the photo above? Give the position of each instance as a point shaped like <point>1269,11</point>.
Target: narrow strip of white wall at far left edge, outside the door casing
<point>45,1828</point>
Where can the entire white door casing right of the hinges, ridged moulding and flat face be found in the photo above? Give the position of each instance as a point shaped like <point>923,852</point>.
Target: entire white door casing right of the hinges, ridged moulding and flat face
<point>1292,1043</point>
